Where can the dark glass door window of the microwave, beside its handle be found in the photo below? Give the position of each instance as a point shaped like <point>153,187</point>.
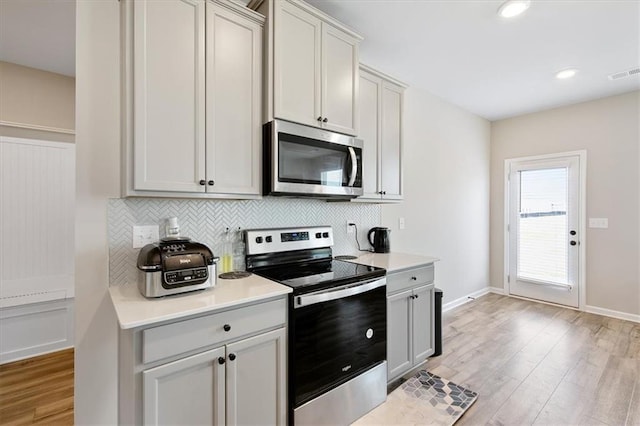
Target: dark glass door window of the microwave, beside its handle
<point>308,161</point>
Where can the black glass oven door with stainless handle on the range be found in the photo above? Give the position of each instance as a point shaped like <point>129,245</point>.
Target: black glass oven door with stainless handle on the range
<point>335,335</point>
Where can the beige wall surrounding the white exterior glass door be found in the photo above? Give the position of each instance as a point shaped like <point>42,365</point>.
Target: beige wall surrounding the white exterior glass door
<point>609,129</point>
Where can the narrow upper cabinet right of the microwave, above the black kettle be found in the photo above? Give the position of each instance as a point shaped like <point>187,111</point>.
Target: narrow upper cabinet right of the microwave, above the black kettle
<point>380,109</point>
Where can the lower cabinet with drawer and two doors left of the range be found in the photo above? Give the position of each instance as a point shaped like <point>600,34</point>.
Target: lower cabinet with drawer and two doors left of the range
<point>232,373</point>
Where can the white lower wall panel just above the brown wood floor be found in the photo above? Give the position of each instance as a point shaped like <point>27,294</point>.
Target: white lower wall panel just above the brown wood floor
<point>36,329</point>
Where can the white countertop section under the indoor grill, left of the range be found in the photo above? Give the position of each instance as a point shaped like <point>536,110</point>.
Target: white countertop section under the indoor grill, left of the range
<point>134,310</point>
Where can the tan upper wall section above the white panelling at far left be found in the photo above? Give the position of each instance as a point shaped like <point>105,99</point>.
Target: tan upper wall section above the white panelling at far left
<point>36,104</point>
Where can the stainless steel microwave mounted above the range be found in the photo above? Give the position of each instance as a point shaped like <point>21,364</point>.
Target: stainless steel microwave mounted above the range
<point>307,161</point>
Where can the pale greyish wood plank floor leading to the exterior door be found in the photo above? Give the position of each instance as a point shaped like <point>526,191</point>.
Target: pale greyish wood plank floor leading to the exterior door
<point>536,364</point>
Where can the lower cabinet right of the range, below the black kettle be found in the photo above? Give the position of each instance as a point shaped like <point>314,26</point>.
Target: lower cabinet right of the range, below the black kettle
<point>410,321</point>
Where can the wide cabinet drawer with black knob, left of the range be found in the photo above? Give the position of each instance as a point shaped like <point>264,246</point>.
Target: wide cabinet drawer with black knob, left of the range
<point>183,336</point>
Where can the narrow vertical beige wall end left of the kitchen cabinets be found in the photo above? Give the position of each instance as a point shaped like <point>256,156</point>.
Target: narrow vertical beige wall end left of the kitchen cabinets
<point>98,179</point>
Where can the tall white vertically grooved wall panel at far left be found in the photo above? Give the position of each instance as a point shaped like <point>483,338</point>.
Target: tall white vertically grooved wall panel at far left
<point>37,204</point>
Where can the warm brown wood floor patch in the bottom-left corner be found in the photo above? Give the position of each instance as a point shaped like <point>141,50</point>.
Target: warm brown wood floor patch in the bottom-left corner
<point>38,390</point>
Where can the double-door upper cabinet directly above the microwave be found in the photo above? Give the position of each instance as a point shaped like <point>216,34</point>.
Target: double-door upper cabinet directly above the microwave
<point>312,67</point>
